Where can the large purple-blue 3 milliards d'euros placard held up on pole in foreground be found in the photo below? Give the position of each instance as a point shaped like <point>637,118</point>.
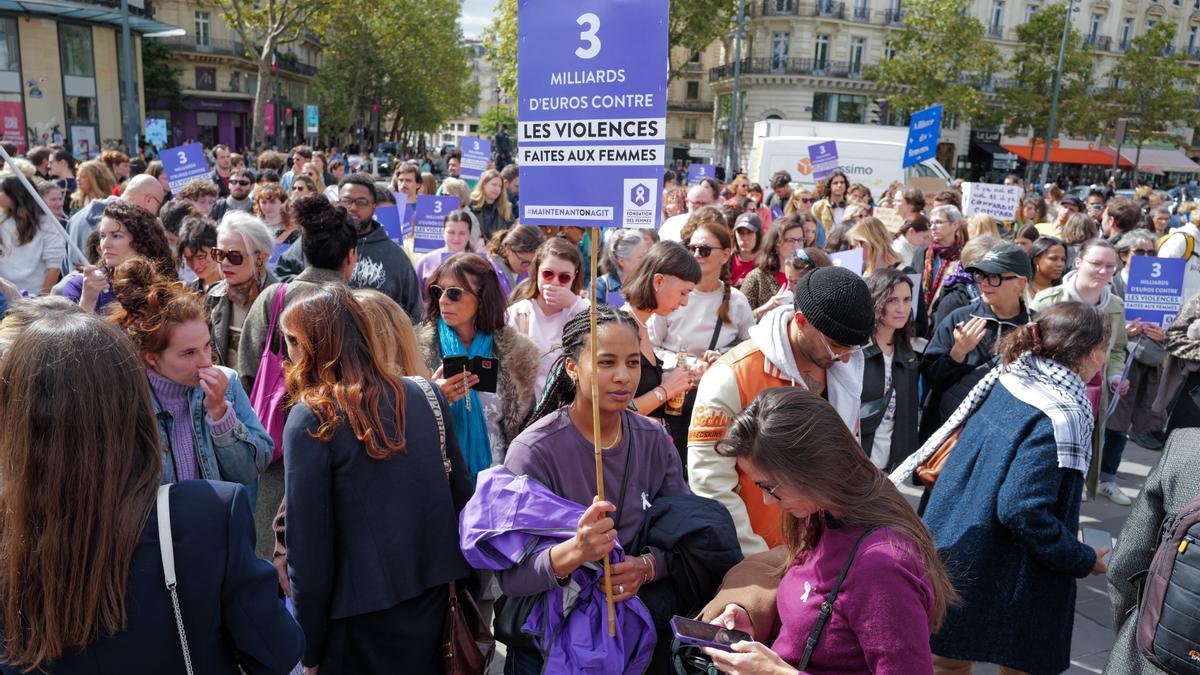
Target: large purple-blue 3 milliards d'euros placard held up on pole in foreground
<point>592,132</point>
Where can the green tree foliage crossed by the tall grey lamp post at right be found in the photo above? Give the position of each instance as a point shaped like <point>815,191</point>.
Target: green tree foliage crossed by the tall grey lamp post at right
<point>1029,95</point>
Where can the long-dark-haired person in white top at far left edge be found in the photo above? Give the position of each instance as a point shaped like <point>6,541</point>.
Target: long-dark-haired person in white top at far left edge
<point>32,243</point>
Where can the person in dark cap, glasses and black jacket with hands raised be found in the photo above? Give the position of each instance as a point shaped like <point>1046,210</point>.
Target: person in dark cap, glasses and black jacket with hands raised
<point>959,351</point>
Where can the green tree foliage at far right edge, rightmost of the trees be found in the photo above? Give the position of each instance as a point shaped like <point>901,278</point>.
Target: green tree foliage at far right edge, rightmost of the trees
<point>1155,88</point>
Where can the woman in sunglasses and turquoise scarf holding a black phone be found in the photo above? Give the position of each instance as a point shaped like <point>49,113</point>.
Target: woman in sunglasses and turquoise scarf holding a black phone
<point>465,318</point>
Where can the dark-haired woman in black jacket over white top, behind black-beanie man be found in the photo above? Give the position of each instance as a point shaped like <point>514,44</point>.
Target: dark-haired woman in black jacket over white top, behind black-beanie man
<point>891,369</point>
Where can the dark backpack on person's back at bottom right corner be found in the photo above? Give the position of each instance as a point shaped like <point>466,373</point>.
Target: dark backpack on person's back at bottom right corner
<point>1169,618</point>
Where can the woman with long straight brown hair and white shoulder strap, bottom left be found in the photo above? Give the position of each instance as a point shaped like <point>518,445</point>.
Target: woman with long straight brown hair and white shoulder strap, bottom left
<point>83,590</point>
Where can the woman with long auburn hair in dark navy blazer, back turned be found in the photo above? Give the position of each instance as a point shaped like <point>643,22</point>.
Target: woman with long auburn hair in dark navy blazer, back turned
<point>373,512</point>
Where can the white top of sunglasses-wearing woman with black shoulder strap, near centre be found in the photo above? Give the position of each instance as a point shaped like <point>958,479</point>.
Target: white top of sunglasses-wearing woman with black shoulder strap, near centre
<point>692,327</point>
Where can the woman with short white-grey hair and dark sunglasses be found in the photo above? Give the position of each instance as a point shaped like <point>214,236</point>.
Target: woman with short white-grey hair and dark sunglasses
<point>244,246</point>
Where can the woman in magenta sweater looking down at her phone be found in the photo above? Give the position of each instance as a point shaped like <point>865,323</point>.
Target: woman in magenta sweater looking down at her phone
<point>854,543</point>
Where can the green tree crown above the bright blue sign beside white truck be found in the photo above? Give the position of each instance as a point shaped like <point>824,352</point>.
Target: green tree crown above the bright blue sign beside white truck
<point>941,58</point>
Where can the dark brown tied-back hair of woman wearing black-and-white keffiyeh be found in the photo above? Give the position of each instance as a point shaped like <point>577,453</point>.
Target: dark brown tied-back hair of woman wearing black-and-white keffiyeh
<point>1066,333</point>
